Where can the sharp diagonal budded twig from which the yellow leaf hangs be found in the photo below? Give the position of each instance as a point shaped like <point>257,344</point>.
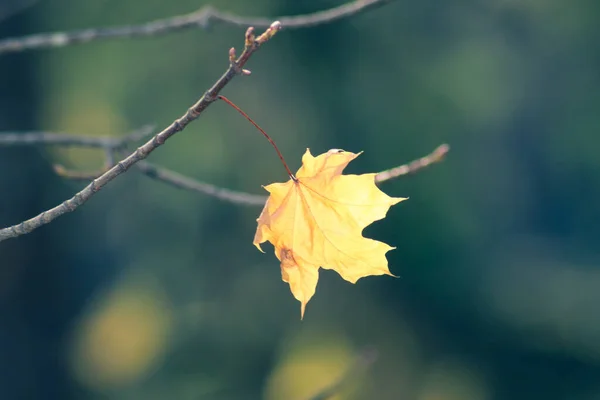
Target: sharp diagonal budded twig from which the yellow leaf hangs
<point>252,44</point>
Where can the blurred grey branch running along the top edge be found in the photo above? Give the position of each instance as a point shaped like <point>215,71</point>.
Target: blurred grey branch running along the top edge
<point>201,18</point>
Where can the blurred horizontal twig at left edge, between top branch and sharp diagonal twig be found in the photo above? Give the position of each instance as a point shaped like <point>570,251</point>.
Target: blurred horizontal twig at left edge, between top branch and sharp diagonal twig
<point>65,139</point>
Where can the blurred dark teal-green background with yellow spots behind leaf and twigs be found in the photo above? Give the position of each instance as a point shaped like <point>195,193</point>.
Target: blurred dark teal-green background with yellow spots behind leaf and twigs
<point>149,292</point>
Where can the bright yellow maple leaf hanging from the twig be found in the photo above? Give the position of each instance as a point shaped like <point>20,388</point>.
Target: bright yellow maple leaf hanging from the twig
<point>316,220</point>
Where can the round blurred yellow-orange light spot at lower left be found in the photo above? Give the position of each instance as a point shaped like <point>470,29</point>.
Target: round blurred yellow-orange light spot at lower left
<point>121,338</point>
